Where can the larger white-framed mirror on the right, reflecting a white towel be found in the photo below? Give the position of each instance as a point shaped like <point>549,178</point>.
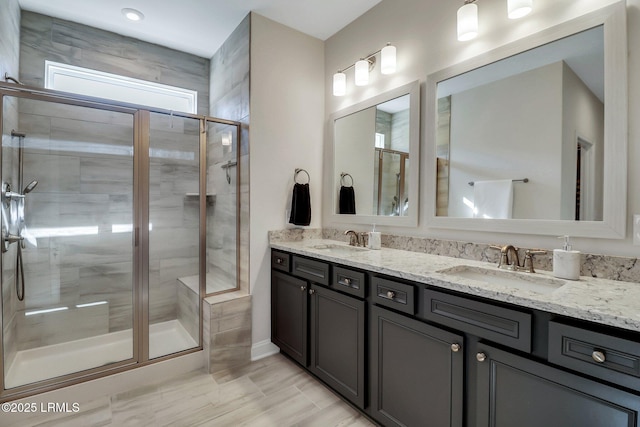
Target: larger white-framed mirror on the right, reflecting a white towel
<point>531,138</point>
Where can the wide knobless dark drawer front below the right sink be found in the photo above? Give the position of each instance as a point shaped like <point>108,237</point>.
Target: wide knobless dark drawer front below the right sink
<point>498,324</point>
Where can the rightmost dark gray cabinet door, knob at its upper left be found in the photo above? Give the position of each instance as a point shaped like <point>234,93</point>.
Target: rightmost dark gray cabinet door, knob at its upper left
<point>514,391</point>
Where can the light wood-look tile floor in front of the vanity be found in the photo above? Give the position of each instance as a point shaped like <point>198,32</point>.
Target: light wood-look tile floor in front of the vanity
<point>270,392</point>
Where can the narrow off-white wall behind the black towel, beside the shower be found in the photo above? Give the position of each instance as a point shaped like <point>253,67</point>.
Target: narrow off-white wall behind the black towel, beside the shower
<point>287,107</point>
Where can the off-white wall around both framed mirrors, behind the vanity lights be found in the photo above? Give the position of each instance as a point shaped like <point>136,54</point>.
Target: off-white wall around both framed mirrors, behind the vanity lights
<point>424,32</point>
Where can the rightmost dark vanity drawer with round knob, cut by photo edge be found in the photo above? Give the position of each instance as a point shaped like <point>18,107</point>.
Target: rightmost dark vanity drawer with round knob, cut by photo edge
<point>610,358</point>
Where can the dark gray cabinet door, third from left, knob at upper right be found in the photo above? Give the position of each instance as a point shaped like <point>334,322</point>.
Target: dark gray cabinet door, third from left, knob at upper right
<point>416,372</point>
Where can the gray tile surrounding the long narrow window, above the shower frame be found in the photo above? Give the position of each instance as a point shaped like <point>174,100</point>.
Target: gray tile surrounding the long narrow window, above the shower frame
<point>47,38</point>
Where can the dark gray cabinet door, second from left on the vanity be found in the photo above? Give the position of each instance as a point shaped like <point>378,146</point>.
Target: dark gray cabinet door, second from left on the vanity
<point>337,342</point>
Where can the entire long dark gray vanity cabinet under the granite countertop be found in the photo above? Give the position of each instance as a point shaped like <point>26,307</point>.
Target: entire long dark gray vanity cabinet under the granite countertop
<point>412,354</point>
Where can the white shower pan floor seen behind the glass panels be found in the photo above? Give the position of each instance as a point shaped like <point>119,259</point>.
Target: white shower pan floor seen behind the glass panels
<point>43,363</point>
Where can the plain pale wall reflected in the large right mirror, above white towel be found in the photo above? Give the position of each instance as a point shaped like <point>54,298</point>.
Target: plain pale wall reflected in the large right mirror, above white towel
<point>498,129</point>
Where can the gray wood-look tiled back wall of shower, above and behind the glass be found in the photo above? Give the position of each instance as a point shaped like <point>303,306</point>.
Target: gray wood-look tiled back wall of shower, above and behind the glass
<point>98,177</point>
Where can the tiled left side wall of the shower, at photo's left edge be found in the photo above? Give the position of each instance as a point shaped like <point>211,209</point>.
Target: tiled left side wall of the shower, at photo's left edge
<point>9,62</point>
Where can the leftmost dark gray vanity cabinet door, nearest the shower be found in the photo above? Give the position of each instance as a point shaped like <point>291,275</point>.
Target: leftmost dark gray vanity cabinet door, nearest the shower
<point>289,315</point>
